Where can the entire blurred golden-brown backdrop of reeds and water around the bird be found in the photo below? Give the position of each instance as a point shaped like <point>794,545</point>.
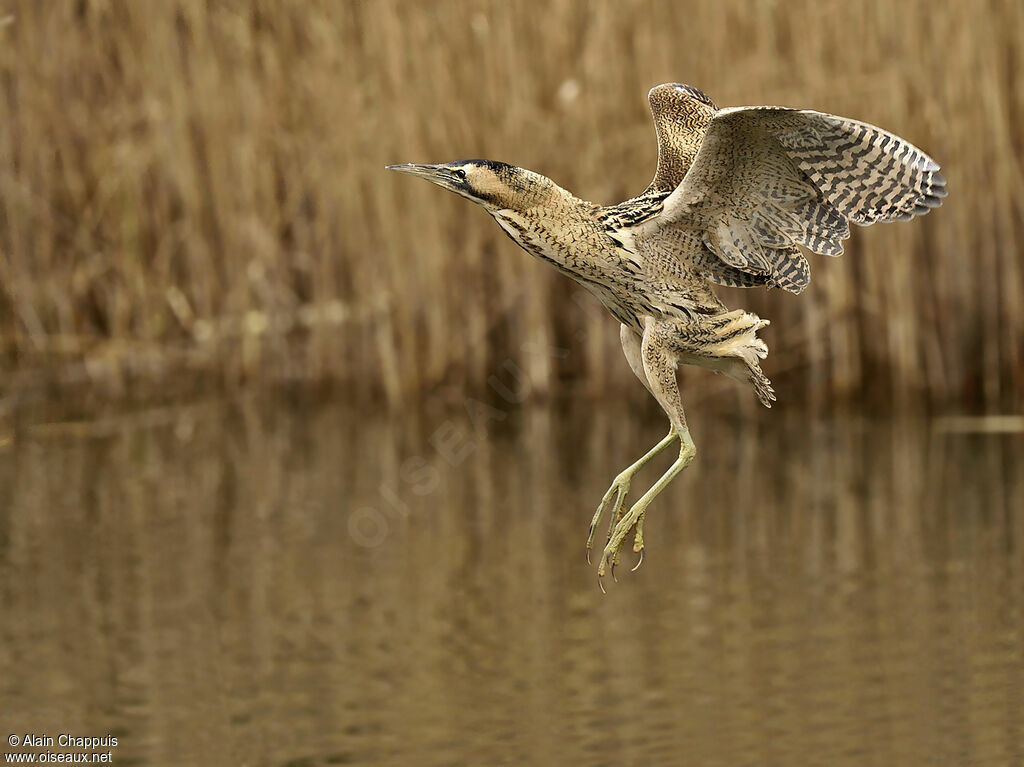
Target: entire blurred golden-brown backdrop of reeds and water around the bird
<point>297,457</point>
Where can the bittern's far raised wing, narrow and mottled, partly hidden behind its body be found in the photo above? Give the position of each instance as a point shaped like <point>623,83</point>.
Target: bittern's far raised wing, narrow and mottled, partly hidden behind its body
<point>682,115</point>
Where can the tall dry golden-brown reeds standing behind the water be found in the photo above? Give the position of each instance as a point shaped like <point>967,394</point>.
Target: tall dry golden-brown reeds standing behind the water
<point>196,190</point>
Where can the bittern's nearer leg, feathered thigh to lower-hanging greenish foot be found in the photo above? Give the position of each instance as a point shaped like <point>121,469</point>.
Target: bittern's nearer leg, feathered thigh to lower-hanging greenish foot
<point>659,351</point>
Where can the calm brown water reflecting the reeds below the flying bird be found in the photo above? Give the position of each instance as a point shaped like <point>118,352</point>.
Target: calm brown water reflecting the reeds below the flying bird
<point>229,585</point>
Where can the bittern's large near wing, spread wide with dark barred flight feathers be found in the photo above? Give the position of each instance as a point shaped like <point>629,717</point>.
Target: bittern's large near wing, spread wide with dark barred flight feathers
<point>767,180</point>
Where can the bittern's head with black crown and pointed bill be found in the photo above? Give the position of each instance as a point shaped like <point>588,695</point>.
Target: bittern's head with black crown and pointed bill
<point>493,185</point>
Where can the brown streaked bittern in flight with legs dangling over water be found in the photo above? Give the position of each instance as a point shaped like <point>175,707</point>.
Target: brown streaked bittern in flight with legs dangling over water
<point>736,193</point>
